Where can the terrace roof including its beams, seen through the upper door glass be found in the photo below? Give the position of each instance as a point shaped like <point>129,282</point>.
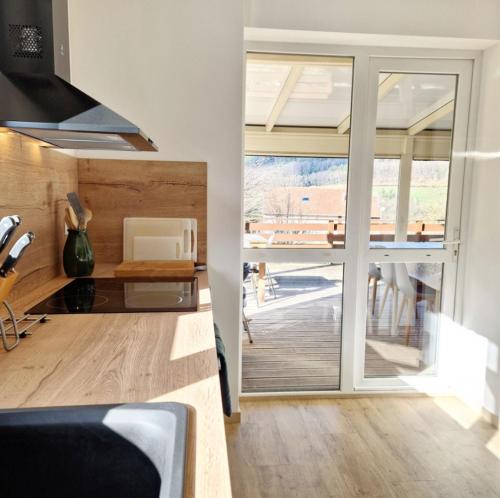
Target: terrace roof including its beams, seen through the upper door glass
<point>293,93</point>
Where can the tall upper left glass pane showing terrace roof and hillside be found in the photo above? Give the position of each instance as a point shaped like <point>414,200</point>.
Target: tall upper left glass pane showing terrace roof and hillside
<point>297,116</point>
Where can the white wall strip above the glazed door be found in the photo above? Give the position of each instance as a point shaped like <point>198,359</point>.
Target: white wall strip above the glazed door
<point>441,18</point>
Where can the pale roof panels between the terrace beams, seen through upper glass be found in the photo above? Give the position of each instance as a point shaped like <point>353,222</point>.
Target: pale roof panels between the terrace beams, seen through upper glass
<point>322,97</point>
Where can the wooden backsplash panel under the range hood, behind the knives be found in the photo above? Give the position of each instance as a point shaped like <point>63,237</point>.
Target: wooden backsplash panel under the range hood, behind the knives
<point>35,181</point>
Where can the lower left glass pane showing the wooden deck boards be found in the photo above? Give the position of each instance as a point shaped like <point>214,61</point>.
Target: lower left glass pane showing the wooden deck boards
<point>293,314</point>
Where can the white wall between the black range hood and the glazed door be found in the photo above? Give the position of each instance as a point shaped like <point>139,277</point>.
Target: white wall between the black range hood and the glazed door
<point>175,69</point>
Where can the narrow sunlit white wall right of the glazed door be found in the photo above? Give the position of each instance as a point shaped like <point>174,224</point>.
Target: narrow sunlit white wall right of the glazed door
<point>482,281</point>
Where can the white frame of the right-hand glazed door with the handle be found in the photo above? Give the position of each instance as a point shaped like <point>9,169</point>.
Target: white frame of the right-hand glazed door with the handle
<point>447,254</point>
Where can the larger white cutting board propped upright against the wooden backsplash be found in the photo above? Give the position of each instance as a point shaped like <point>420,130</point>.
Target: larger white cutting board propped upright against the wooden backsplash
<point>159,239</point>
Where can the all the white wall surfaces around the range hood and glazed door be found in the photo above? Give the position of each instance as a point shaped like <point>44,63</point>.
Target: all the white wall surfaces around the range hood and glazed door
<point>175,68</point>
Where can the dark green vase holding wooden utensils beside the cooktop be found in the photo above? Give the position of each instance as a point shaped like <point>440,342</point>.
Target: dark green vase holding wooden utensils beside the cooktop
<point>78,255</point>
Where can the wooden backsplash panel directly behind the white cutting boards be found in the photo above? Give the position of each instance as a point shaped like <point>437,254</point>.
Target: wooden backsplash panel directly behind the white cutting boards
<point>117,189</point>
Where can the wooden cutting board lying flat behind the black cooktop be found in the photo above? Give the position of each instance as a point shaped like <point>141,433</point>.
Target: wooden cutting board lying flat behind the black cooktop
<point>155,268</point>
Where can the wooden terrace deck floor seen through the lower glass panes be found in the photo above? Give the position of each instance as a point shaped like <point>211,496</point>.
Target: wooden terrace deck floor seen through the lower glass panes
<point>297,334</point>
